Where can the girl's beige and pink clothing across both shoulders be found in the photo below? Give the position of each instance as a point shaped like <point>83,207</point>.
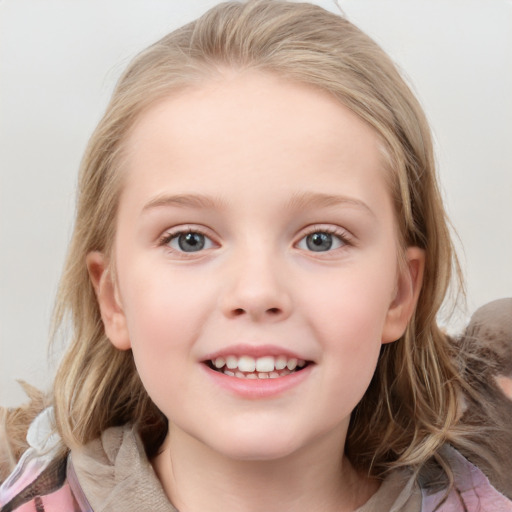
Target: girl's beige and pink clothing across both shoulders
<point>113,473</point>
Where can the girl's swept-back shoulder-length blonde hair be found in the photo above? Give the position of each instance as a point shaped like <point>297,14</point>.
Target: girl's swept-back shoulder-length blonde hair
<point>412,405</point>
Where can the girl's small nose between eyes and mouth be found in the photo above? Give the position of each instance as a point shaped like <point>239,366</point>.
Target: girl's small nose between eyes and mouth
<point>257,288</point>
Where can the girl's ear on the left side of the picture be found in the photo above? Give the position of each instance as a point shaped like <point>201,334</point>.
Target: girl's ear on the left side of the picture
<point>112,314</point>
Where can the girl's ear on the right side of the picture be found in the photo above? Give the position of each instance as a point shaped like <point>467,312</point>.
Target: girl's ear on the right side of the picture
<point>408,288</point>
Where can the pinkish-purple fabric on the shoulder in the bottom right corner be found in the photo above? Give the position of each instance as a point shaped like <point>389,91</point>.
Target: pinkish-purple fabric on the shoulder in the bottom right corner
<point>471,490</point>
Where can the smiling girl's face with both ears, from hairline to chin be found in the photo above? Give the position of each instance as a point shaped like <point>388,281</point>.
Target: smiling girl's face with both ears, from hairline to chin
<point>256,264</point>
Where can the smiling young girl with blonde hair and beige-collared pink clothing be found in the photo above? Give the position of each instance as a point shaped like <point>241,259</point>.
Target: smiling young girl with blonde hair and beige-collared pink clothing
<point>259,254</point>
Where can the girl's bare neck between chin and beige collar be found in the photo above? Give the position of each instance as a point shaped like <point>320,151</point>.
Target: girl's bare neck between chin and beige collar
<point>196,478</point>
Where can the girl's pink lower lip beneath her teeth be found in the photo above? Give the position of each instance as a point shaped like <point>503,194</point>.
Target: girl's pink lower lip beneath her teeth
<point>258,388</point>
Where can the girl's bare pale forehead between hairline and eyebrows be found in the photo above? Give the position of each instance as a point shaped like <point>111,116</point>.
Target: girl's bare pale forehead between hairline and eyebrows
<point>232,133</point>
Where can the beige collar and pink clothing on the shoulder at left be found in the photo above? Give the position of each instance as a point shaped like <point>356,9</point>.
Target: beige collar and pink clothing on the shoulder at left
<point>108,473</point>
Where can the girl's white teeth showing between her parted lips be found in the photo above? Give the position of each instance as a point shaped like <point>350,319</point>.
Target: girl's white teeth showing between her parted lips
<point>266,367</point>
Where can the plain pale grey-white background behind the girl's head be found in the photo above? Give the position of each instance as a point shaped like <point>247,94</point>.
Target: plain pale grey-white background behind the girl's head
<point>59,60</point>
